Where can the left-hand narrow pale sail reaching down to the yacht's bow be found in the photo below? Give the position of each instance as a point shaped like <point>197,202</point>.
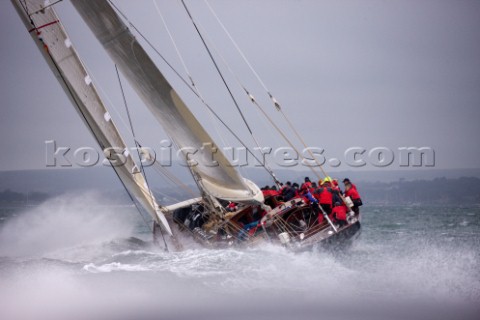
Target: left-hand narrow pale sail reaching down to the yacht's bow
<point>46,30</point>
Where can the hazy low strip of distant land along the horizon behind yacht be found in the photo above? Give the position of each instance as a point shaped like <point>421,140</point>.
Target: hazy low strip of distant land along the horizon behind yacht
<point>434,186</point>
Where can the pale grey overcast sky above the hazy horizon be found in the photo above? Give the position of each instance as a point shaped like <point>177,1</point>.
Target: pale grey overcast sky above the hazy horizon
<point>348,73</point>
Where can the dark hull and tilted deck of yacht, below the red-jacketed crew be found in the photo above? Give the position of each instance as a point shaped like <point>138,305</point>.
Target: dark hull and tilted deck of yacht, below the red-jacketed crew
<point>282,230</point>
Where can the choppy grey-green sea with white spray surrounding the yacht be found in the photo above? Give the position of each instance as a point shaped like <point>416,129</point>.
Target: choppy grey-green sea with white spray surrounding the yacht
<point>72,258</point>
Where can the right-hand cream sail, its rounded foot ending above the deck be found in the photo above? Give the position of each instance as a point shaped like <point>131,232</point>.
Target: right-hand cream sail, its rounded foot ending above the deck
<point>211,169</point>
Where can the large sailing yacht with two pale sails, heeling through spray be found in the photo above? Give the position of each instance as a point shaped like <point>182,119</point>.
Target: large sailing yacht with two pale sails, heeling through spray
<point>293,224</point>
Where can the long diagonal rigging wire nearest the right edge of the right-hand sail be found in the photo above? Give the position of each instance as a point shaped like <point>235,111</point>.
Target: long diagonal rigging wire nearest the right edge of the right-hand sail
<point>190,88</point>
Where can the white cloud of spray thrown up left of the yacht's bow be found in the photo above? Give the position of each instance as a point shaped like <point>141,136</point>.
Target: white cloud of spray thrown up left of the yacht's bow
<point>68,221</point>
